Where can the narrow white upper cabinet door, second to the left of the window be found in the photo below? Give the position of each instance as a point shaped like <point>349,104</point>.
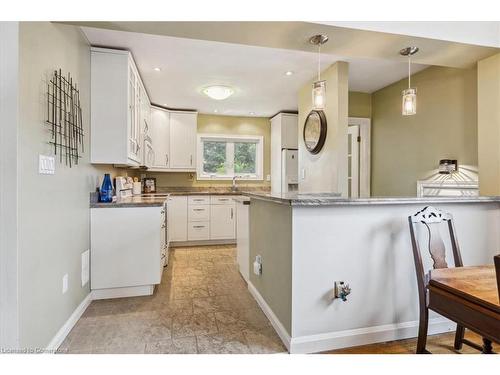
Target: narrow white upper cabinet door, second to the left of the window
<point>160,137</point>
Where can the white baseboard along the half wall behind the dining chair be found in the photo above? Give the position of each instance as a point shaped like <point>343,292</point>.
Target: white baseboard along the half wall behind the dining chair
<point>367,335</point>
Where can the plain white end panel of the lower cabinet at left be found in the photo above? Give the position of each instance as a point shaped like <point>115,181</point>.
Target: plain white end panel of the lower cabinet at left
<point>126,250</point>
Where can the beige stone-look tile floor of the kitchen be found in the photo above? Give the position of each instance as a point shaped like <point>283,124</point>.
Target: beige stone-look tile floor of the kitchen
<point>201,306</point>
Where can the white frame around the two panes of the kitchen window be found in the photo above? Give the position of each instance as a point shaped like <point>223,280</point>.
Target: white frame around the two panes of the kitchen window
<point>259,157</point>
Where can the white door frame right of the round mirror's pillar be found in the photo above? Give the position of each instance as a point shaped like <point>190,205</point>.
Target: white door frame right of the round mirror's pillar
<point>364,154</point>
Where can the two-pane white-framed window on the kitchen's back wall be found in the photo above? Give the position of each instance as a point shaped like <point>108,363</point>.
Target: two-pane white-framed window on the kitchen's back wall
<point>226,156</point>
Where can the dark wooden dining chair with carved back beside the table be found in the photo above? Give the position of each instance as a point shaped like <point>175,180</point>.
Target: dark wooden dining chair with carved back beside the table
<point>432,219</point>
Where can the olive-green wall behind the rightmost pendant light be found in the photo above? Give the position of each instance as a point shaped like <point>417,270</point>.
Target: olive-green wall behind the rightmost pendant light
<point>408,148</point>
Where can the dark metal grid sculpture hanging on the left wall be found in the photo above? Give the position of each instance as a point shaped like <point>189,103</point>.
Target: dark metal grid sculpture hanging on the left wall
<point>64,117</point>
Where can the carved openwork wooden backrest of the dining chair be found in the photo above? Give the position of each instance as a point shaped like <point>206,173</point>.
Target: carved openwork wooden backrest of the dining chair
<point>432,219</point>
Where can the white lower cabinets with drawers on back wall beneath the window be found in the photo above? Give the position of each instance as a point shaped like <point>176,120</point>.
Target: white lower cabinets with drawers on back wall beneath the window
<point>201,218</point>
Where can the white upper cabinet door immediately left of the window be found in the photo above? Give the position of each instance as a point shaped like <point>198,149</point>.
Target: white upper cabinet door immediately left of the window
<point>183,140</point>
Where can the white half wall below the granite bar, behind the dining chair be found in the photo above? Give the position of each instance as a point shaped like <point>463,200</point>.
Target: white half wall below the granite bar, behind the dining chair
<point>369,248</point>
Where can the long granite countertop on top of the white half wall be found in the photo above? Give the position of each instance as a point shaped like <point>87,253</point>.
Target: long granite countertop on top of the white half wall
<point>334,199</point>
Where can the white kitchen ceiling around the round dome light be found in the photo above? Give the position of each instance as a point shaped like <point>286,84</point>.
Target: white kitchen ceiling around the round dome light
<point>256,73</point>
